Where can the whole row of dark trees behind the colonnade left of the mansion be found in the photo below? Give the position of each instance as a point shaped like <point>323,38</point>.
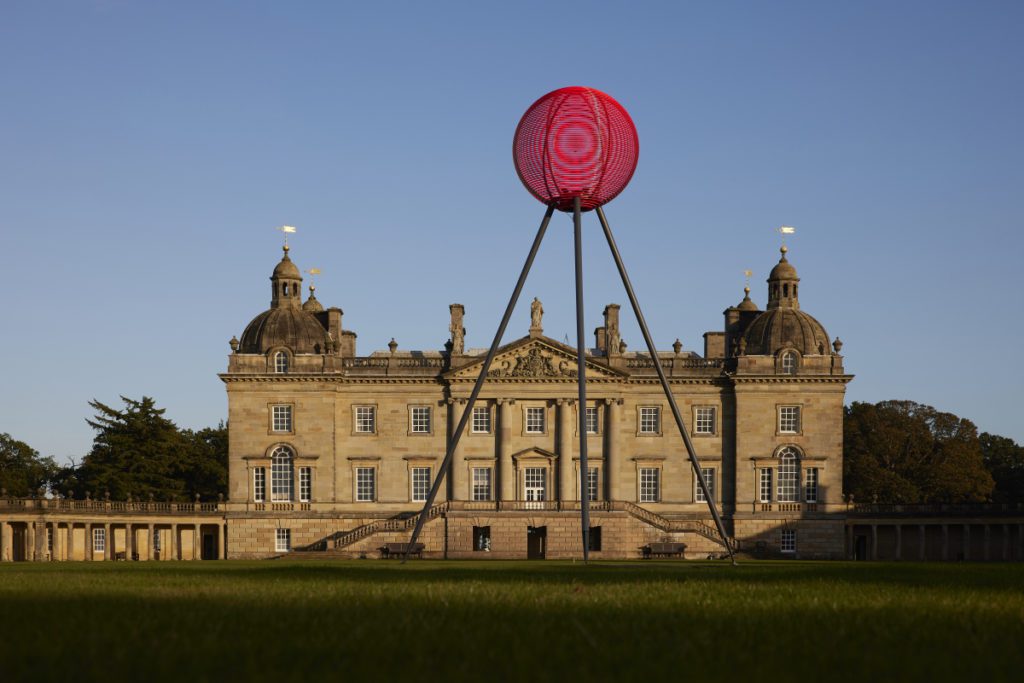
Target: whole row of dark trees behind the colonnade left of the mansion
<point>137,452</point>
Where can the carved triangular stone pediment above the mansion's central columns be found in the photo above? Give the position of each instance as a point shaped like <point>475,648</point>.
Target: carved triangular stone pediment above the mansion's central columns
<point>535,359</point>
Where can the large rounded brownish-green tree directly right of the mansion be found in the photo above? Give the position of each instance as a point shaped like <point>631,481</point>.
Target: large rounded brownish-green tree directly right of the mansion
<point>903,452</point>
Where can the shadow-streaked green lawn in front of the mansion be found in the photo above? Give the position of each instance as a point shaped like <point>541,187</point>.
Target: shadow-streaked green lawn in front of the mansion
<point>511,621</point>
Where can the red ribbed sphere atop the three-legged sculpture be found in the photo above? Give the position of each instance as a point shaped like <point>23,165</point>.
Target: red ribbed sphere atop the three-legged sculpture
<point>576,143</point>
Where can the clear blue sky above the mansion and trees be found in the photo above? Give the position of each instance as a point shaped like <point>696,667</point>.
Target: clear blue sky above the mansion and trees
<point>148,150</point>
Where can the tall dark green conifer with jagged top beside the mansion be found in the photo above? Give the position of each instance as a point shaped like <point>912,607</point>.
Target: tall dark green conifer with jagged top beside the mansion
<point>140,453</point>
